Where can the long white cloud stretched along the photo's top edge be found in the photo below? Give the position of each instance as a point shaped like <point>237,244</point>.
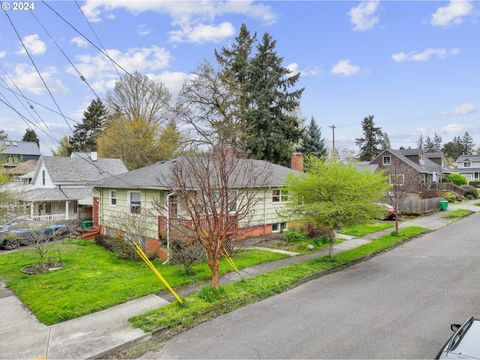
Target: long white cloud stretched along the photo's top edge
<point>183,11</point>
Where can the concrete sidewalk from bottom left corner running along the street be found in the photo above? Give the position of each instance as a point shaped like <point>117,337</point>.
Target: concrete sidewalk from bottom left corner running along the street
<point>23,336</point>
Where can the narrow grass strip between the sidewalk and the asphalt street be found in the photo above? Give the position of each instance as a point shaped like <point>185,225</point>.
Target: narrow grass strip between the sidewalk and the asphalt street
<point>199,307</point>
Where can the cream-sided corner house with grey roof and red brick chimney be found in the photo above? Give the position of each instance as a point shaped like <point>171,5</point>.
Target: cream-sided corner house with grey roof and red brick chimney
<point>138,191</point>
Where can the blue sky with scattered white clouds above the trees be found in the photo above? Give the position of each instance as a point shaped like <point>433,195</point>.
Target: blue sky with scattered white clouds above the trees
<point>414,65</point>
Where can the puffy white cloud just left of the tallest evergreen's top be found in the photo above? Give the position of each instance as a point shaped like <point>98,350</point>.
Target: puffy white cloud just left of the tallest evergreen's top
<point>202,33</point>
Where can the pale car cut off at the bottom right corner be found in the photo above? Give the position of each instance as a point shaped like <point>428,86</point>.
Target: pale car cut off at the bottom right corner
<point>464,343</point>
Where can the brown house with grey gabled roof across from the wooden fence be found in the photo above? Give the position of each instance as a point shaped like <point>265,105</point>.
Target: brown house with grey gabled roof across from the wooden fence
<point>422,168</point>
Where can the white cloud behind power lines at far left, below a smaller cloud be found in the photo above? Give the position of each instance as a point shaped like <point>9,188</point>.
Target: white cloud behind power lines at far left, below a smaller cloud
<point>27,79</point>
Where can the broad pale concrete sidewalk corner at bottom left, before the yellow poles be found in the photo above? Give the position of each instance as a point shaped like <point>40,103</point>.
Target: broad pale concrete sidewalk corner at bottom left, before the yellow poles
<point>22,336</point>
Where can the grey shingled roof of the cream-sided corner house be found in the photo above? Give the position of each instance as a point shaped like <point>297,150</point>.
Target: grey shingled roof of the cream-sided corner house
<point>158,176</point>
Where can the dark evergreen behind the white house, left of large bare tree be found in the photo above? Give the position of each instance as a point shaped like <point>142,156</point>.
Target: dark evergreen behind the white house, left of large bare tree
<point>86,134</point>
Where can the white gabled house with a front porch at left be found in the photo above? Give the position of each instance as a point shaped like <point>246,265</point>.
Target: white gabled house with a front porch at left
<point>61,187</point>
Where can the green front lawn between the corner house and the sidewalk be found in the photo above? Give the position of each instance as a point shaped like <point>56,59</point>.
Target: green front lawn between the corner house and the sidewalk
<point>94,279</point>
